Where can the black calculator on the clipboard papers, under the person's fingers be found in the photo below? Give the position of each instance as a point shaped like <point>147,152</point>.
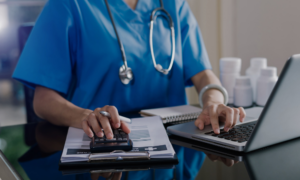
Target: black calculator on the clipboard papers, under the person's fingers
<point>120,141</point>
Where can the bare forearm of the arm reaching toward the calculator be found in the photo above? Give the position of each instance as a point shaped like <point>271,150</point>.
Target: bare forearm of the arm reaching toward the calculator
<point>51,106</point>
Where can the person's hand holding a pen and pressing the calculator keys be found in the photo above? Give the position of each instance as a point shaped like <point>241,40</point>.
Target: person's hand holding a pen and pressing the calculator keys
<point>96,122</point>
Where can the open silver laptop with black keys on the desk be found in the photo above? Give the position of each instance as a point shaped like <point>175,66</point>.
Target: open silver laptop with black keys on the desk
<point>278,122</point>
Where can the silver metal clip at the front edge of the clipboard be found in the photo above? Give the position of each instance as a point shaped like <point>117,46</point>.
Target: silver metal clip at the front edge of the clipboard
<point>119,155</point>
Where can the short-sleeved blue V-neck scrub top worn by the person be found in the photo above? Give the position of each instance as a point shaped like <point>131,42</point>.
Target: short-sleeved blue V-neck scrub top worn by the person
<point>74,39</point>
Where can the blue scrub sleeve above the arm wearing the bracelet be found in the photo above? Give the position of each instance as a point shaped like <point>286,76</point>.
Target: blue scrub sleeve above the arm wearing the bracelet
<point>195,58</point>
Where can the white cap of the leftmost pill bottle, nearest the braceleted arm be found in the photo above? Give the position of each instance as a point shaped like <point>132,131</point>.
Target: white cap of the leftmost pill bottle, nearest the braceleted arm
<point>230,64</point>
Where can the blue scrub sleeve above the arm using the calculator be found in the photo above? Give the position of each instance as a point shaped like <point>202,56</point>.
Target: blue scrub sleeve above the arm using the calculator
<point>47,56</point>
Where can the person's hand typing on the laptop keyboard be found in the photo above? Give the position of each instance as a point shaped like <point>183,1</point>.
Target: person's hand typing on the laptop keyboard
<point>214,113</point>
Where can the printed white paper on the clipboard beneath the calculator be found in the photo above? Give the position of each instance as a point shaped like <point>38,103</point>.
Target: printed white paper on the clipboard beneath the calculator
<point>147,134</point>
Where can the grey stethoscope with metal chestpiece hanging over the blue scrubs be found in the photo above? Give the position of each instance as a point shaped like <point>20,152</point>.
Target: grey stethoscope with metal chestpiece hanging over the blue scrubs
<point>125,72</point>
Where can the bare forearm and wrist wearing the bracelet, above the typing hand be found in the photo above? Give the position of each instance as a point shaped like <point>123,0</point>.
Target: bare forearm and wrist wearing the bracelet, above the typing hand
<point>211,96</point>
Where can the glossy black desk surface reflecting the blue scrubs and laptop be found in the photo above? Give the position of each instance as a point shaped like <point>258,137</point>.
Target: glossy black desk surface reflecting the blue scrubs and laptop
<point>34,151</point>
